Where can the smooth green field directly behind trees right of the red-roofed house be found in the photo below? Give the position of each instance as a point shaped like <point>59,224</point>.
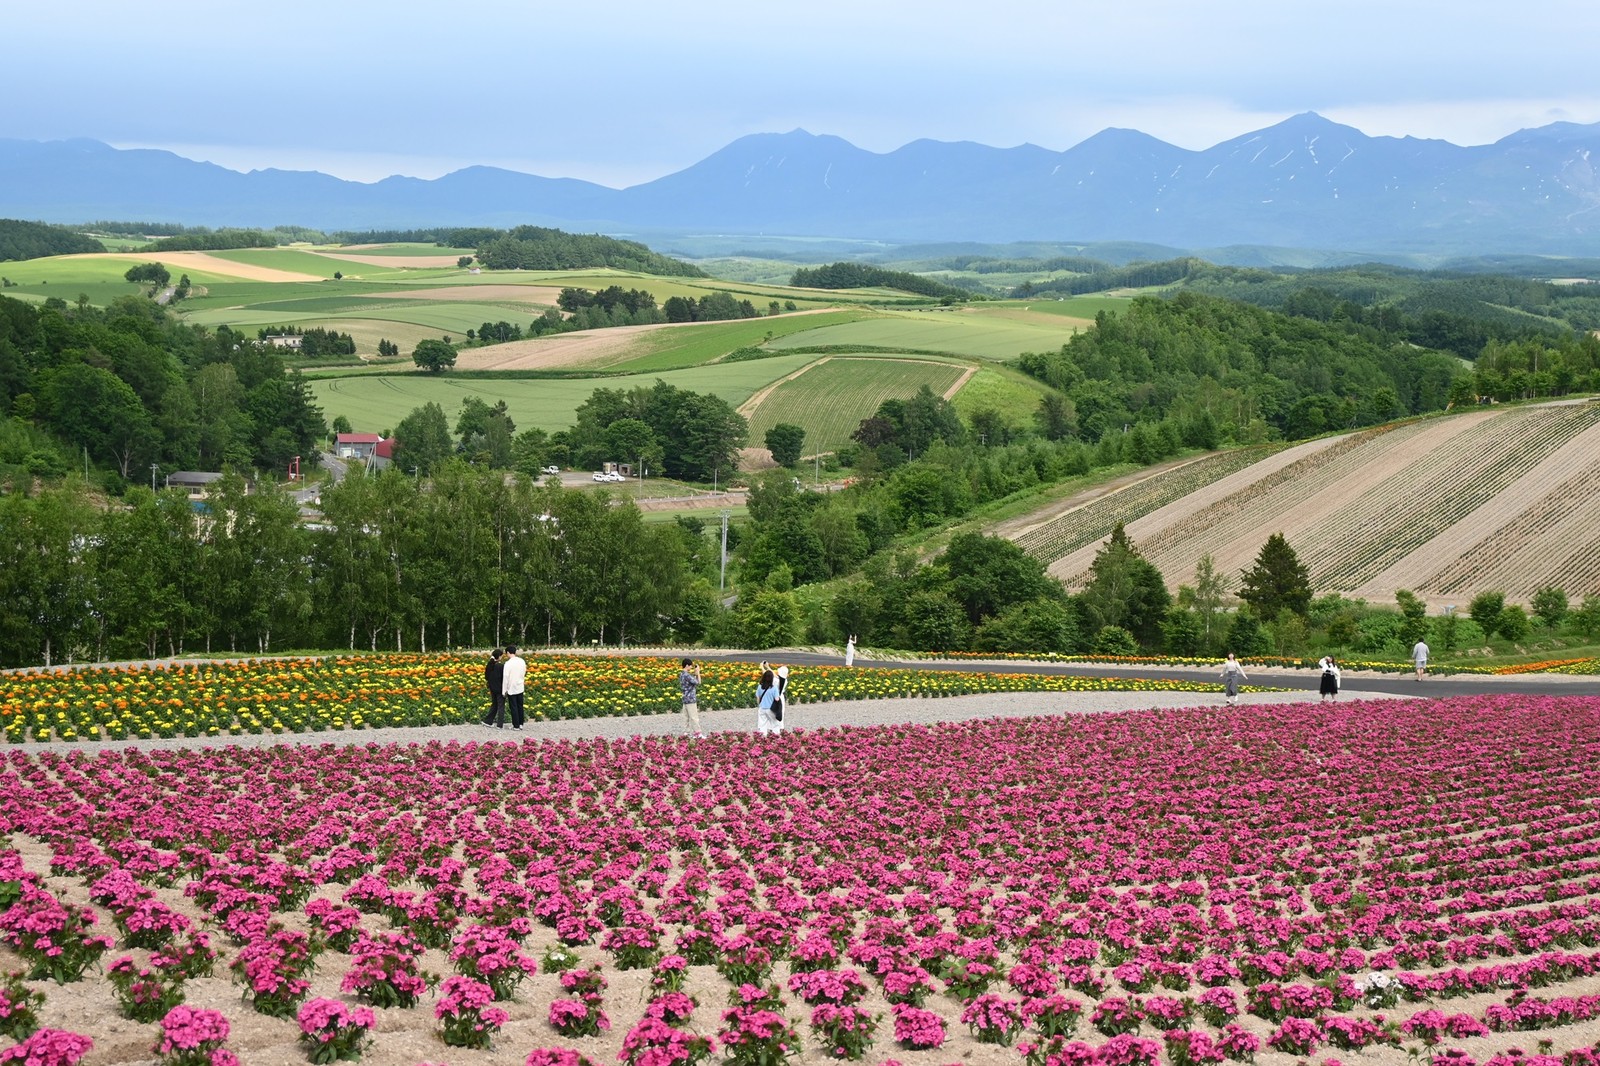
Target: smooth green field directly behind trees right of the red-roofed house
<point>375,403</point>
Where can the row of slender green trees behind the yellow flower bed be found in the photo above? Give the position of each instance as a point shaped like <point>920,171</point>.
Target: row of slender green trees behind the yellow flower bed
<point>465,558</point>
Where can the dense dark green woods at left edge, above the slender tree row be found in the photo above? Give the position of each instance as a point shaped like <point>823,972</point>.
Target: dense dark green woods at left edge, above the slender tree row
<point>129,387</point>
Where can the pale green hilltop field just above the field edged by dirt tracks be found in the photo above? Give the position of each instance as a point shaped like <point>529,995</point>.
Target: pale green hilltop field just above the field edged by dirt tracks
<point>974,334</point>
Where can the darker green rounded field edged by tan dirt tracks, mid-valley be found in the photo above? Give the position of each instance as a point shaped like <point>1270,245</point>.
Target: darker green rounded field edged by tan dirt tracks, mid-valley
<point>831,399</point>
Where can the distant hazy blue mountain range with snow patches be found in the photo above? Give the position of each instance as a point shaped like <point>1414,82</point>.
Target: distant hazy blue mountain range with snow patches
<point>1303,183</point>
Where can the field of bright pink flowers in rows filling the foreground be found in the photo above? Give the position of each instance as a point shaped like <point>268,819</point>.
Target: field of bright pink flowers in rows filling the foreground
<point>1356,883</point>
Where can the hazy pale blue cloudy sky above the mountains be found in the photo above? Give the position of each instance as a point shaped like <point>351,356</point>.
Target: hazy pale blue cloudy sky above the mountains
<point>626,92</point>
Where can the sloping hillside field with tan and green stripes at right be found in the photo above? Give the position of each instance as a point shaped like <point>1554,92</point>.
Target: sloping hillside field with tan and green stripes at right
<point>1487,500</point>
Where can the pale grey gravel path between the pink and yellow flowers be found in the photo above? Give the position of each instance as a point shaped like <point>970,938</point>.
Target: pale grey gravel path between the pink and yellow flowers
<point>802,716</point>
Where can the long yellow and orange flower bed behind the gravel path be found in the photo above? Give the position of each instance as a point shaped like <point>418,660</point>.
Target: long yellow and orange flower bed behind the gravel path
<point>410,691</point>
